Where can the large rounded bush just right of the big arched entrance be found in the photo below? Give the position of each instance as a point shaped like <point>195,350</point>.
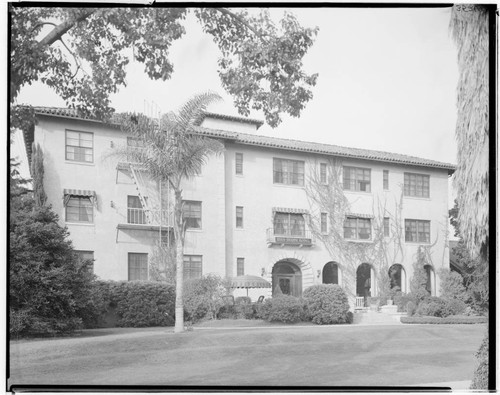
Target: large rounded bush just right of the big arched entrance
<point>326,304</point>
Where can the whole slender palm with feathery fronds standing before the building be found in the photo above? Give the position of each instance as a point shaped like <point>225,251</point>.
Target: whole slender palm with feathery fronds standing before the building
<point>172,152</point>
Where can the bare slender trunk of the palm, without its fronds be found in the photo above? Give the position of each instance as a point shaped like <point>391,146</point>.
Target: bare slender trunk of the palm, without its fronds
<point>179,259</point>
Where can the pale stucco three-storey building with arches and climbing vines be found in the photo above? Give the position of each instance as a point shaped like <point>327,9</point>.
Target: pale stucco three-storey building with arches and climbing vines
<point>296,213</point>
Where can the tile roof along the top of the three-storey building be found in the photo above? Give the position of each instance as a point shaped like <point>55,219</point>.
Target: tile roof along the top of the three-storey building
<point>286,144</point>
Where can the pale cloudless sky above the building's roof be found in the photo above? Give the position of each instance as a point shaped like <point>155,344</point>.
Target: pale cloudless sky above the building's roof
<point>387,81</point>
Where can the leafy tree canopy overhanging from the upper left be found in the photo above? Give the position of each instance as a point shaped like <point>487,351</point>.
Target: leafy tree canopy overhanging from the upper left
<point>82,54</point>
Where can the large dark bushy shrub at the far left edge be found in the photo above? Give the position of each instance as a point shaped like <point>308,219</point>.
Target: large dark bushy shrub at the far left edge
<point>50,288</point>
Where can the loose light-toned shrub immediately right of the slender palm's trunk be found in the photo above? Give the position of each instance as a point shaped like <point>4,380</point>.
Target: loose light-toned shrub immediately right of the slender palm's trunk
<point>203,297</point>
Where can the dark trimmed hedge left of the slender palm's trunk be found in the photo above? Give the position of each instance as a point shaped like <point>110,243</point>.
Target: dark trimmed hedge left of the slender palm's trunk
<point>133,304</point>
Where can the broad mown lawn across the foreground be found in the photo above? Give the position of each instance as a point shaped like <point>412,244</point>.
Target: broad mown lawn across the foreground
<point>343,355</point>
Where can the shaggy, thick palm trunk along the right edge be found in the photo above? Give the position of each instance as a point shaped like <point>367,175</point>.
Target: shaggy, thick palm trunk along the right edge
<point>469,29</point>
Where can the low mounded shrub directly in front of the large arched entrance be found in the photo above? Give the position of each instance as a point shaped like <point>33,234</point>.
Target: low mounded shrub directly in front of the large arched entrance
<point>285,308</point>
